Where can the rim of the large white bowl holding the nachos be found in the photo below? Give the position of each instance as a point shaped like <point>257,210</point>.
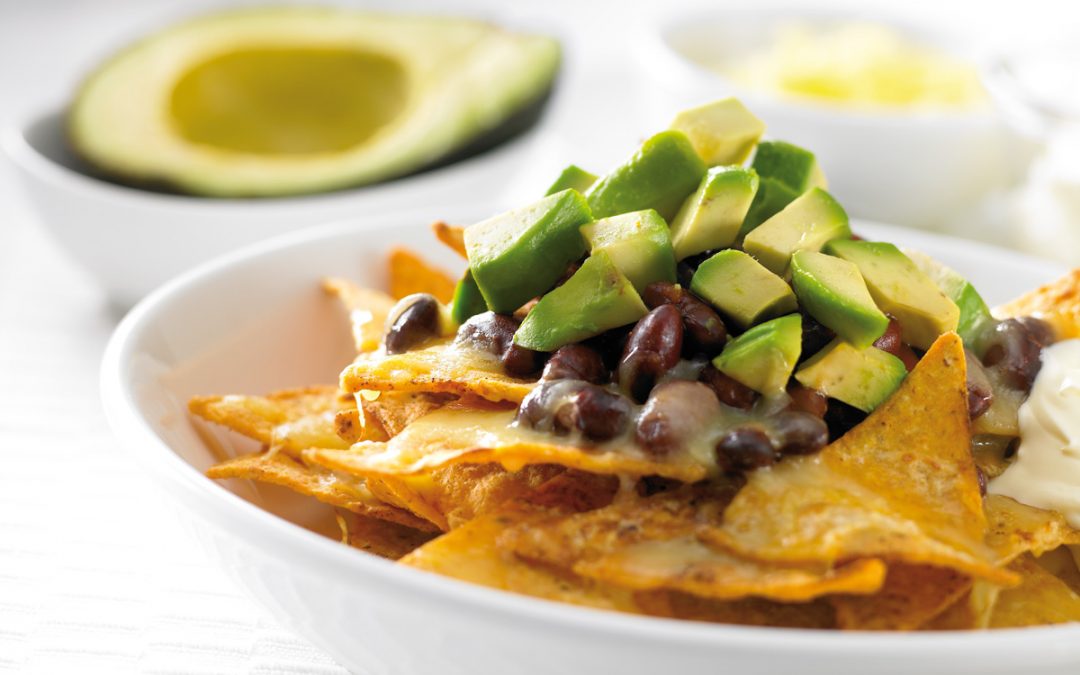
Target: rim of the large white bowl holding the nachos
<point>235,517</point>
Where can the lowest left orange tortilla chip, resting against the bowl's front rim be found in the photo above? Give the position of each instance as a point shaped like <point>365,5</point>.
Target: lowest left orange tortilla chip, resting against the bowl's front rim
<point>470,553</point>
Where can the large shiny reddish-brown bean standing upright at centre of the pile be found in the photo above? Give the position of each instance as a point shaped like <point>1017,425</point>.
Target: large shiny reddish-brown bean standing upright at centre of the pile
<point>653,348</point>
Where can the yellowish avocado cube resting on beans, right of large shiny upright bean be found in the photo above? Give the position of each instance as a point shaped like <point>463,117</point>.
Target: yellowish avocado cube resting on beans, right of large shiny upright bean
<point>742,289</point>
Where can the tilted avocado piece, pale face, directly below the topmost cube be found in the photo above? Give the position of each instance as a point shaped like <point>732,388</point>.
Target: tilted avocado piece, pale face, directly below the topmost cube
<point>711,218</point>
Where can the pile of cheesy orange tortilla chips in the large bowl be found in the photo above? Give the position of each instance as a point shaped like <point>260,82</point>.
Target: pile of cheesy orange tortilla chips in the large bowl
<point>884,530</point>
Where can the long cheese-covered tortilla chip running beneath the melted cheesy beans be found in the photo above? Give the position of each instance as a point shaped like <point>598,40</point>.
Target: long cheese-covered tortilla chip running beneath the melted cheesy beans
<point>457,435</point>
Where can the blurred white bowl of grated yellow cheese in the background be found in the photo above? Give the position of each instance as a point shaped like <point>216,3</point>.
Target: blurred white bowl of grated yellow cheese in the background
<point>912,169</point>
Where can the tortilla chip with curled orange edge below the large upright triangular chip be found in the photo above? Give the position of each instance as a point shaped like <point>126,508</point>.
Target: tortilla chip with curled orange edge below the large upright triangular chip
<point>650,545</point>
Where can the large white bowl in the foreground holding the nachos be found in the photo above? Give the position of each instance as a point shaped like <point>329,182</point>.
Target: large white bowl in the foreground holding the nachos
<point>256,320</point>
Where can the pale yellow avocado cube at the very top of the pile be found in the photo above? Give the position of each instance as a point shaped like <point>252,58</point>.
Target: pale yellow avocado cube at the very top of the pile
<point>723,132</point>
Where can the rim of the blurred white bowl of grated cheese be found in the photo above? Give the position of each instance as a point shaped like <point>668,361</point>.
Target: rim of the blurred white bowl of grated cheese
<point>655,31</point>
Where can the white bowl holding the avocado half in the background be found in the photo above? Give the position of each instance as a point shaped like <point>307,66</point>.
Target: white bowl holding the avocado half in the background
<point>132,240</point>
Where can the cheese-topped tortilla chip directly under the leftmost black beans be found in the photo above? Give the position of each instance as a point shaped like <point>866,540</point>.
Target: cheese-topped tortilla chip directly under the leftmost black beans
<point>438,370</point>
